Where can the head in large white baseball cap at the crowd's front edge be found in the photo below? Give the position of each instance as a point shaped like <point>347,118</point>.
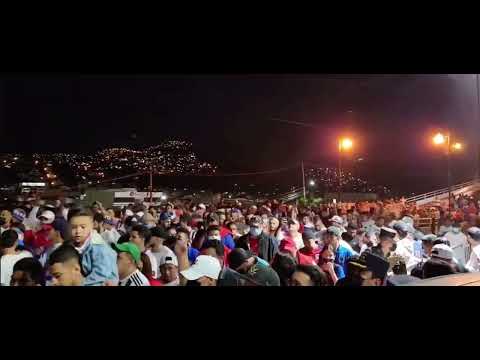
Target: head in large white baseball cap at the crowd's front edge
<point>204,272</point>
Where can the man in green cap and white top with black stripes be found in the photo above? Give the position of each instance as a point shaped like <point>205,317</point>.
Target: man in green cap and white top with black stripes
<point>127,261</point>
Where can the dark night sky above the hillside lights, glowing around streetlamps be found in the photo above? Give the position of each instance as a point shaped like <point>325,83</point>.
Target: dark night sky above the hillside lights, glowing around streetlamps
<point>228,118</point>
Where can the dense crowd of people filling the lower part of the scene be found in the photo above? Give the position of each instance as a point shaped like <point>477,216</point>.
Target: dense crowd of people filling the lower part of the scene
<point>60,243</point>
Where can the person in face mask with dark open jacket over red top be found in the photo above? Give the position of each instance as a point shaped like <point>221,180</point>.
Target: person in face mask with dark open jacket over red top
<point>259,243</point>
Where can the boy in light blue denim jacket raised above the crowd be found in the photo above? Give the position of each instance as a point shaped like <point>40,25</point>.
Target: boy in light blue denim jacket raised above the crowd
<point>98,258</point>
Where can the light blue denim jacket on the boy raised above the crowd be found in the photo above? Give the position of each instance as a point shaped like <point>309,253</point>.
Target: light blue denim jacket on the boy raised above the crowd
<point>99,262</point>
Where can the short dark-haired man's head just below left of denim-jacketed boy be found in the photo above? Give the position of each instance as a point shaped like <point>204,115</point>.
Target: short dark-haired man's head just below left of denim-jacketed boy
<point>64,266</point>
